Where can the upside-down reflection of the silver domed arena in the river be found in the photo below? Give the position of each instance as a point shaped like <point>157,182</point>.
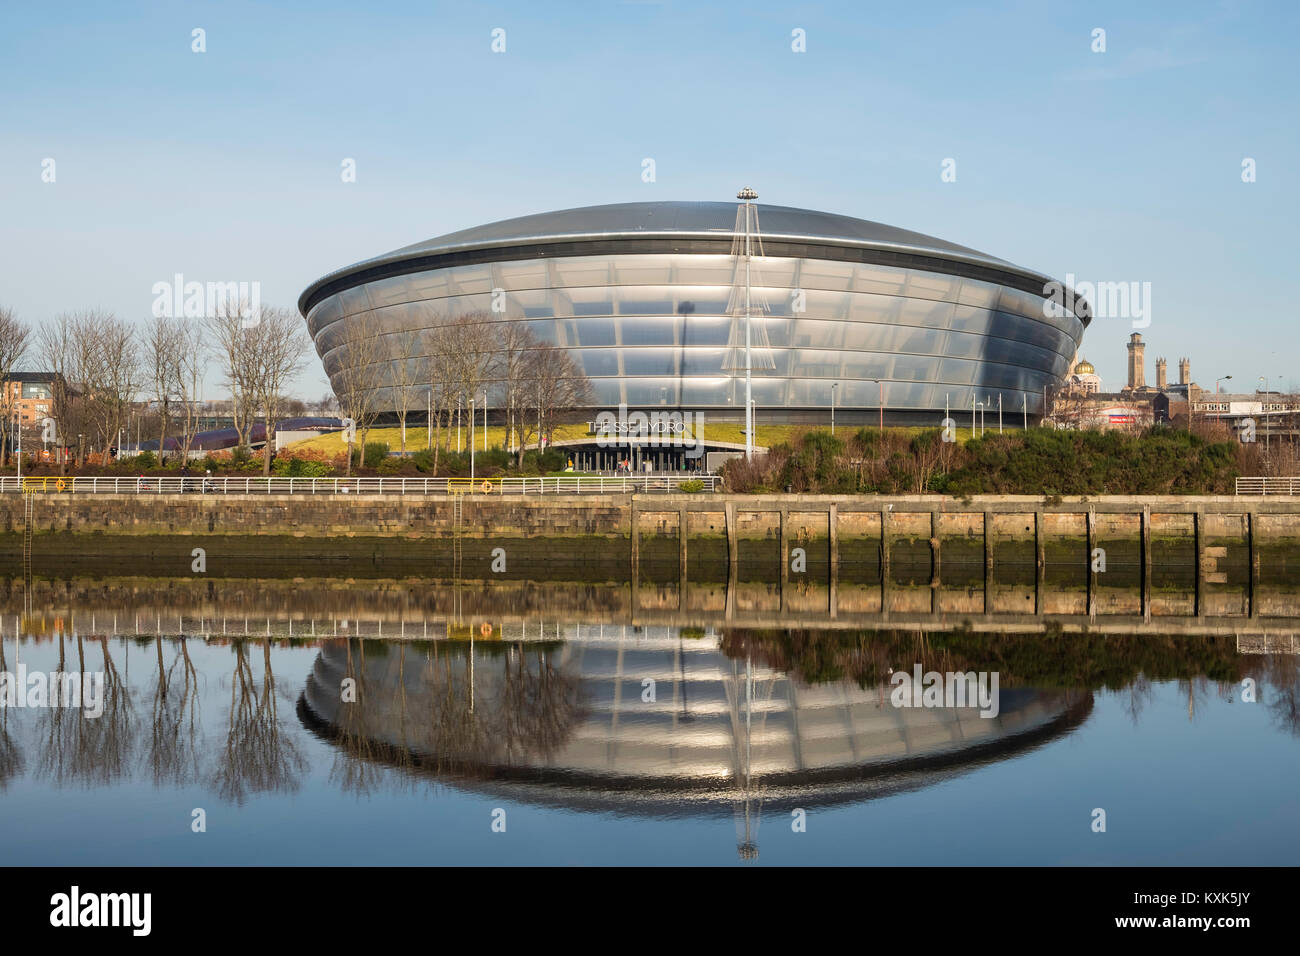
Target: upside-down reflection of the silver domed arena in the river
<point>648,723</point>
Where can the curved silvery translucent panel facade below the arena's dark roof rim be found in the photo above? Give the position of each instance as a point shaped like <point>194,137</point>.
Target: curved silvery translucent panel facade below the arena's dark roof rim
<point>652,330</point>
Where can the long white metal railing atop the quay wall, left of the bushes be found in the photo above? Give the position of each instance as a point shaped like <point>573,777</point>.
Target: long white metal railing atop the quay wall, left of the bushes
<point>198,485</point>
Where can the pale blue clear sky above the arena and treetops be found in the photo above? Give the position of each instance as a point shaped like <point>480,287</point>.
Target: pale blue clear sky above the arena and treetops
<point>1117,166</point>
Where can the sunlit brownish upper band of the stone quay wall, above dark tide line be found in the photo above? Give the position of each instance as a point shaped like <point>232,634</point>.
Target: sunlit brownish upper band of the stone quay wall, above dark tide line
<point>917,518</point>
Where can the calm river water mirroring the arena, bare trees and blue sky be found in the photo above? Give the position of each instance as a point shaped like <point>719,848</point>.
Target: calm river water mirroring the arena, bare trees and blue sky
<point>306,723</point>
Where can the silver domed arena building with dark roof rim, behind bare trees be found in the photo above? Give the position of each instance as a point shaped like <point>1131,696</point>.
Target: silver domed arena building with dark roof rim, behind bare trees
<point>851,313</point>
